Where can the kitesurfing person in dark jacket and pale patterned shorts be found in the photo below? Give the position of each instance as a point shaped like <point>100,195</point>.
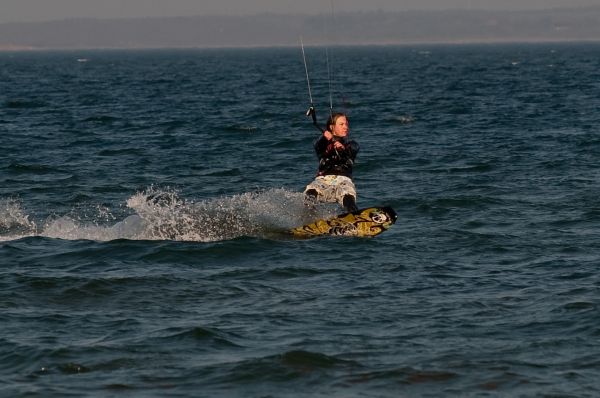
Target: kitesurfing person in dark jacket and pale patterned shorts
<point>336,153</point>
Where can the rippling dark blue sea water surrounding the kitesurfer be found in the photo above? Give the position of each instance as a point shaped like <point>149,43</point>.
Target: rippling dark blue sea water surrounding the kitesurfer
<point>144,197</point>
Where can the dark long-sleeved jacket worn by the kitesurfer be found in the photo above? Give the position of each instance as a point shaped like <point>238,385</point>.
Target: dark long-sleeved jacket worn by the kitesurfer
<point>336,162</point>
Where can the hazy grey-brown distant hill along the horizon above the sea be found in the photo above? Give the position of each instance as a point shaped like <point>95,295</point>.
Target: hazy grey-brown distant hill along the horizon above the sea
<point>358,28</point>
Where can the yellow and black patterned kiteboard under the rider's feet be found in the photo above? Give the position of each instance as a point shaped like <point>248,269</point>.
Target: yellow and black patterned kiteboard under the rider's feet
<point>366,222</point>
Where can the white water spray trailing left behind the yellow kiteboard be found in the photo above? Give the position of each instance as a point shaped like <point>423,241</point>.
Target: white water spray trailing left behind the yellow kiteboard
<point>165,215</point>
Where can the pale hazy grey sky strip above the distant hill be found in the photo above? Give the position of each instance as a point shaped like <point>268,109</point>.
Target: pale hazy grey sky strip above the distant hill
<point>40,10</point>
